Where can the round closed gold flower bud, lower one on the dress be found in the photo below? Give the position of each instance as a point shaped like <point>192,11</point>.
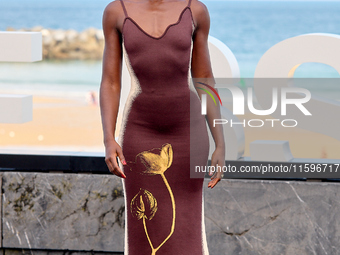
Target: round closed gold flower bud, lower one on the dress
<point>143,205</point>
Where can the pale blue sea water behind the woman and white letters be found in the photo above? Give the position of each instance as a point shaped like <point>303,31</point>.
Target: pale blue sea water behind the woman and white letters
<point>248,28</point>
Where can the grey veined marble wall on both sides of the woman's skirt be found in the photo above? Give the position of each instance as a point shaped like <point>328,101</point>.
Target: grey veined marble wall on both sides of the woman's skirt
<point>49,213</point>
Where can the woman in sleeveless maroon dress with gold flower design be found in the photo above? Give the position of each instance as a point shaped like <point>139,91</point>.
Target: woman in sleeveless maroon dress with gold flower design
<point>163,134</point>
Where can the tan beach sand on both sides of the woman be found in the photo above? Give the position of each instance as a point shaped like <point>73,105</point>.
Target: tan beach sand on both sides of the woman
<point>73,124</point>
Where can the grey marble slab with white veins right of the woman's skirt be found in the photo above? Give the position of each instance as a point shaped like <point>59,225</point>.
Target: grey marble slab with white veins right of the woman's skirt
<point>272,217</point>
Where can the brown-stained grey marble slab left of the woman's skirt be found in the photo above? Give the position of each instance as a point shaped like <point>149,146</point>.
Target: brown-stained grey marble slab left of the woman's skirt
<point>62,211</point>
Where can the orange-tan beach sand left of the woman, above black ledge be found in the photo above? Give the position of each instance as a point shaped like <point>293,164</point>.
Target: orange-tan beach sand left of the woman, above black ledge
<point>58,123</point>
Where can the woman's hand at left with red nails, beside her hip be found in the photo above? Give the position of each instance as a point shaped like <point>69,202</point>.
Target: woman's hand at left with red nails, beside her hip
<point>112,151</point>
